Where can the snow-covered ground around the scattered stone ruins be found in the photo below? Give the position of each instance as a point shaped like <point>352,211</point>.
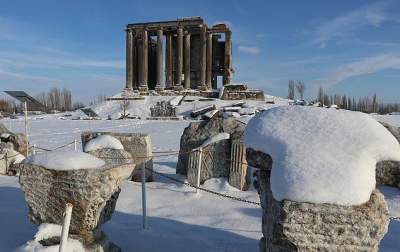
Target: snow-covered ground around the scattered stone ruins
<point>179,219</point>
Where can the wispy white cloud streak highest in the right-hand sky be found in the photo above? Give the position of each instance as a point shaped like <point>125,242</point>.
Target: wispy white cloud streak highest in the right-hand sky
<point>343,26</point>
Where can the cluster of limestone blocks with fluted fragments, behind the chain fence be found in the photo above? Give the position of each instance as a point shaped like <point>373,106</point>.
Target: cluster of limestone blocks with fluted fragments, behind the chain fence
<point>225,158</point>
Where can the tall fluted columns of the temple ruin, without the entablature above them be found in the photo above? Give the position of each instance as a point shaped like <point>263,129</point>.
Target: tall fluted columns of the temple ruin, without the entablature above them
<point>138,52</point>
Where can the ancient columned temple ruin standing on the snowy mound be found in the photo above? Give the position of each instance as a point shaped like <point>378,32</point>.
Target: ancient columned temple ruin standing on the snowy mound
<point>195,55</point>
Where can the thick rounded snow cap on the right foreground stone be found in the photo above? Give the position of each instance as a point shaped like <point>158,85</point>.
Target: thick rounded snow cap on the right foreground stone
<point>321,155</point>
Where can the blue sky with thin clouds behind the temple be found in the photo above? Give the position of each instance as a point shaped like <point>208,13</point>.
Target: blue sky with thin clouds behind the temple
<point>349,47</point>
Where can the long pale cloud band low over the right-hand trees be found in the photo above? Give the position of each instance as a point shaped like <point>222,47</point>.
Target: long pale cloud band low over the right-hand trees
<point>363,67</point>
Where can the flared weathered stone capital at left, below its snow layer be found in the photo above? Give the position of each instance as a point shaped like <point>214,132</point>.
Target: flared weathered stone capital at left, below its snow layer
<point>93,193</point>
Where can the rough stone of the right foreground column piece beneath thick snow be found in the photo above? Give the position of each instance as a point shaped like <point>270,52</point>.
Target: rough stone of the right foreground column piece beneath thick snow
<point>299,226</point>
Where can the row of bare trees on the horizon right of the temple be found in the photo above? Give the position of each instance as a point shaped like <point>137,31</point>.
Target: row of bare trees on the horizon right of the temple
<point>367,104</point>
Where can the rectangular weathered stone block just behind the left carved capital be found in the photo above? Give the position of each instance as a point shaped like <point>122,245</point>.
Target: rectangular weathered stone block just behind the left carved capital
<point>137,144</point>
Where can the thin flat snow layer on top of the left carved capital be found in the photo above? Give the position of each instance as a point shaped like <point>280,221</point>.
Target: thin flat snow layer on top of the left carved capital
<point>65,160</point>
